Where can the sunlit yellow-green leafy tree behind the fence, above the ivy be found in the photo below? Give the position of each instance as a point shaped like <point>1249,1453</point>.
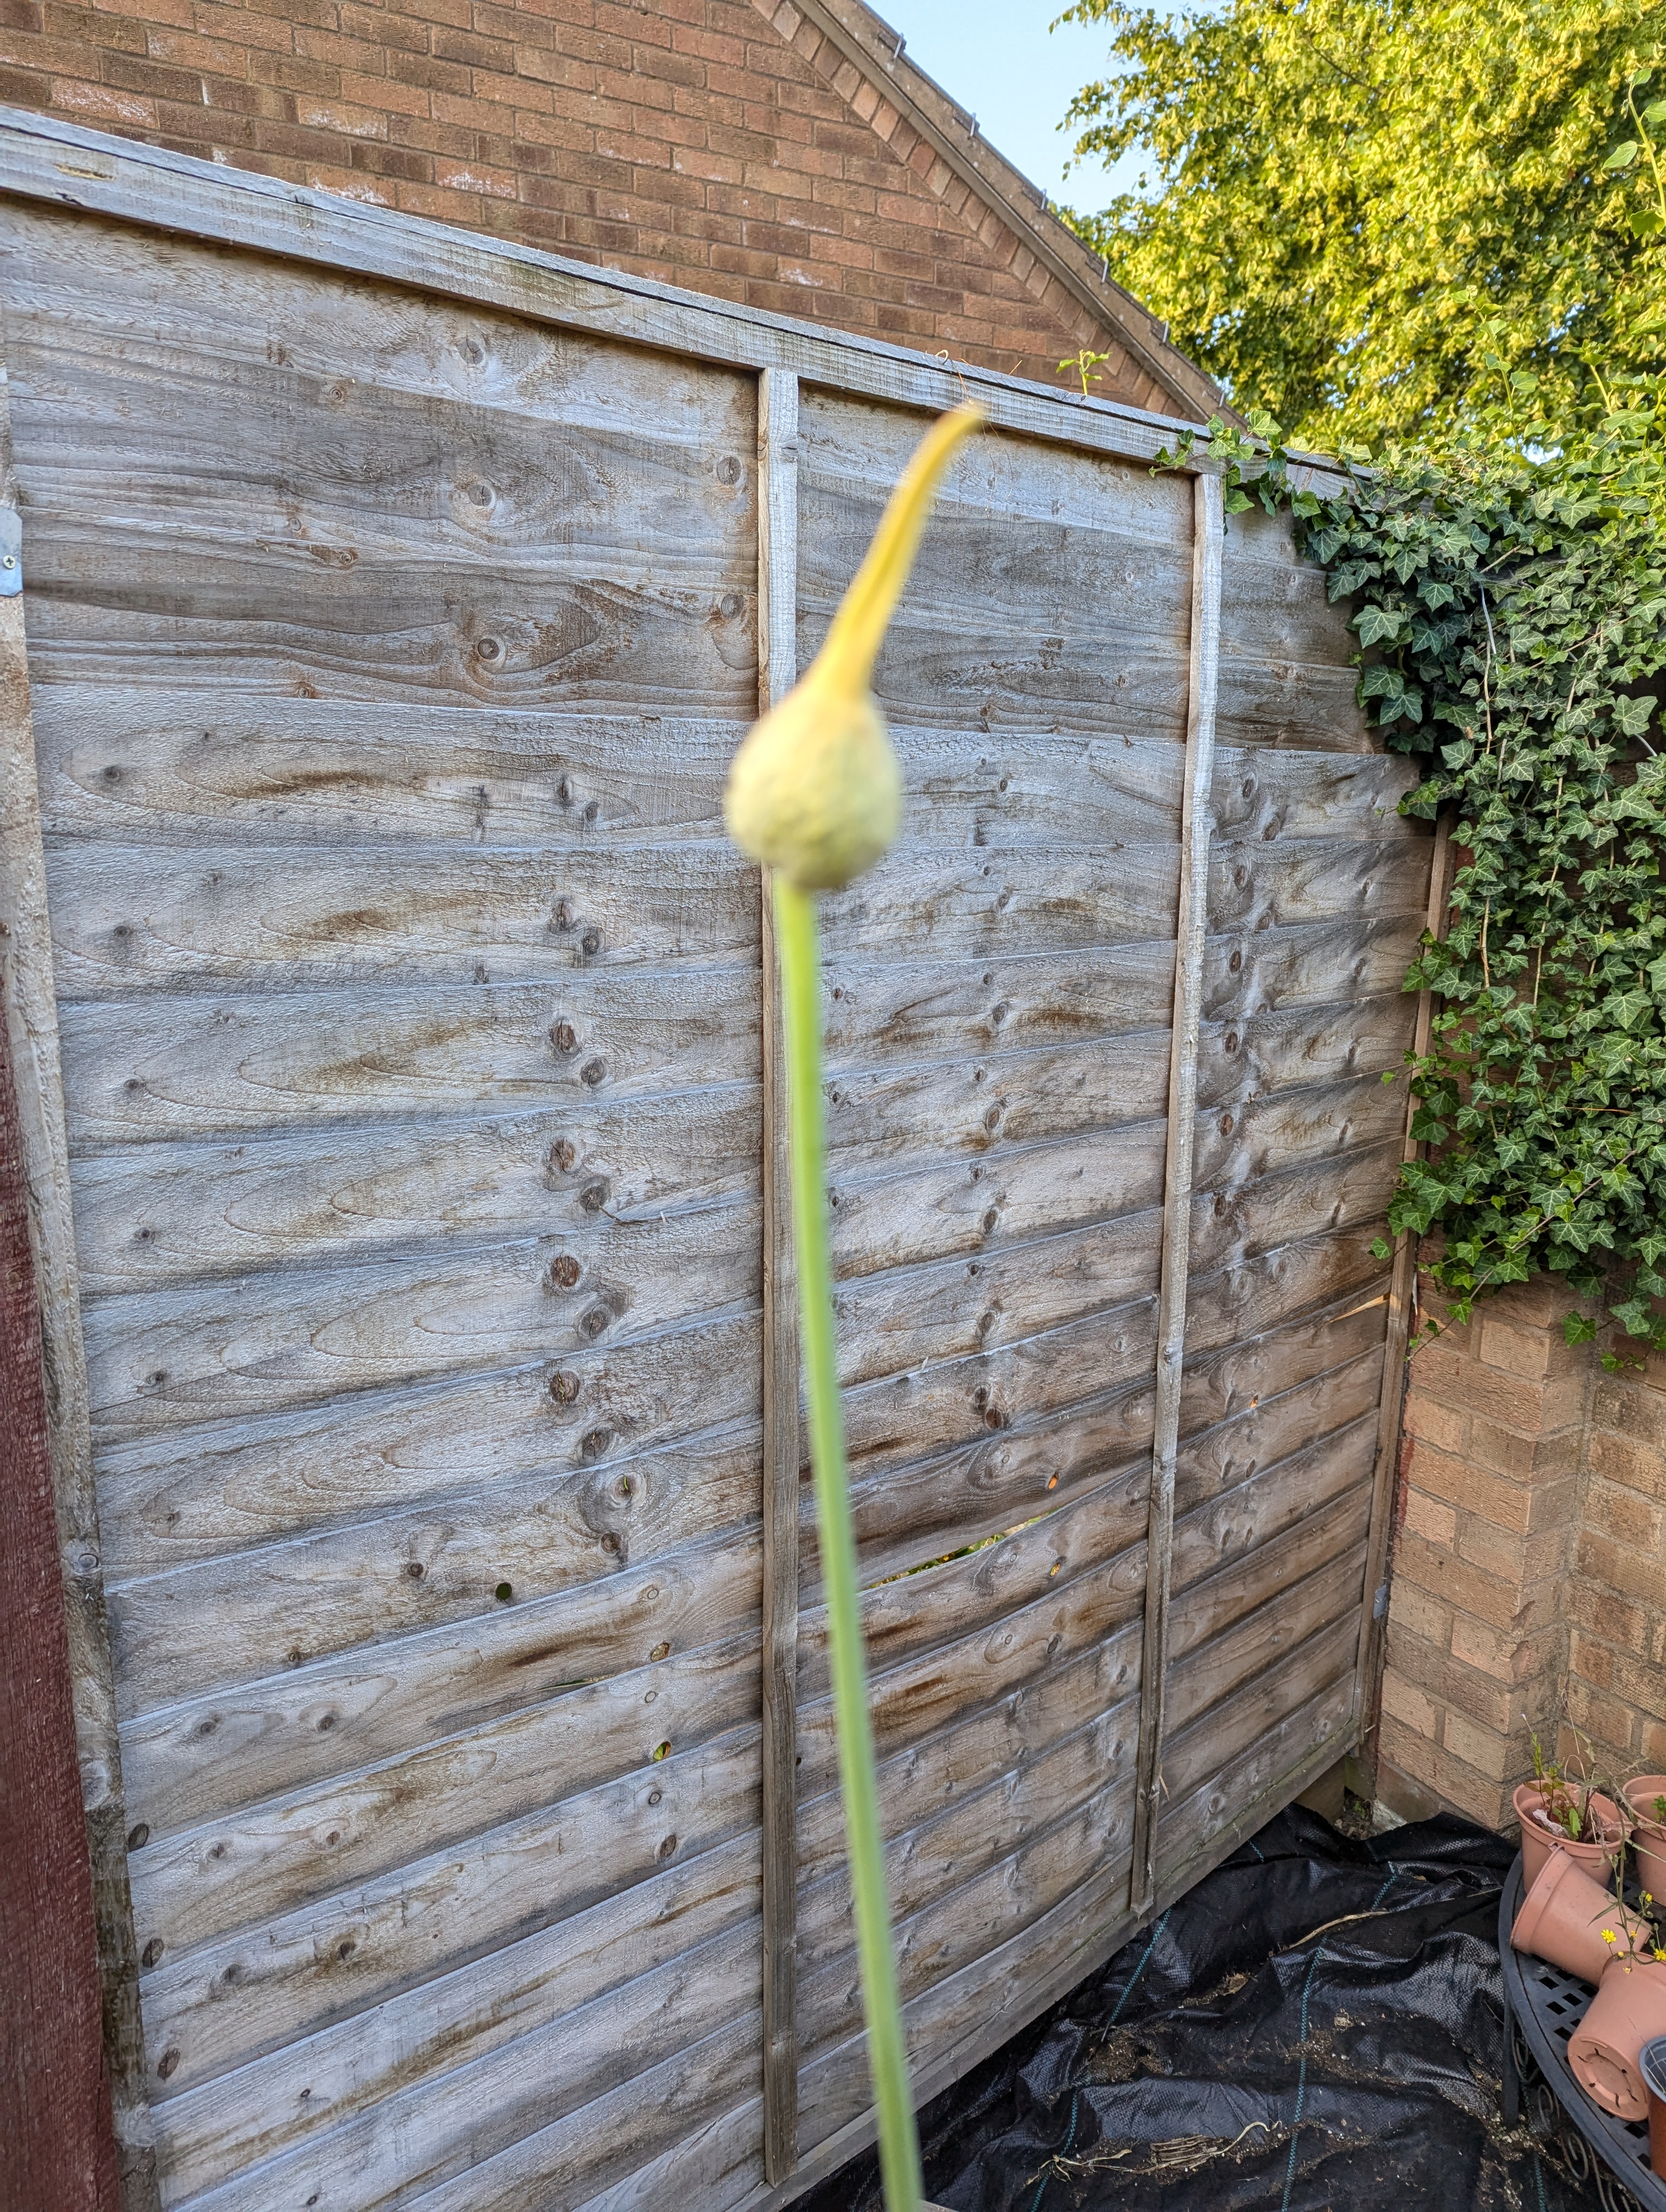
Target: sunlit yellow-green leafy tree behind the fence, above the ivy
<point>1355,202</point>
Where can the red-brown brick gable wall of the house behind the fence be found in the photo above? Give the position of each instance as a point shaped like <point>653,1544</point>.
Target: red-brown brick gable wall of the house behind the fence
<point>702,143</point>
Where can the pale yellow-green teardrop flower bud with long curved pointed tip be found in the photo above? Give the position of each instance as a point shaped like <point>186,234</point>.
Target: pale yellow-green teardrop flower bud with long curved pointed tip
<point>815,791</point>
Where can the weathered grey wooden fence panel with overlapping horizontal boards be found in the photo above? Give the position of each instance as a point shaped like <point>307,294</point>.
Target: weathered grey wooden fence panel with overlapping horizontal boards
<point>399,1098</point>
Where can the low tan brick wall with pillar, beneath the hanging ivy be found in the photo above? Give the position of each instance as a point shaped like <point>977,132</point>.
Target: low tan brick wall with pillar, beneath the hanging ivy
<point>1530,1569</point>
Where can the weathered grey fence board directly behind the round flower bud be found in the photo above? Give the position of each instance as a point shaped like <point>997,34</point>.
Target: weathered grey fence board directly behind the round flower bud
<point>209,766</point>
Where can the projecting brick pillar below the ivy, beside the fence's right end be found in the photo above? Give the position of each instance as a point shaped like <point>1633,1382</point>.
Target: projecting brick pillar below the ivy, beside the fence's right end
<point>1483,1556</point>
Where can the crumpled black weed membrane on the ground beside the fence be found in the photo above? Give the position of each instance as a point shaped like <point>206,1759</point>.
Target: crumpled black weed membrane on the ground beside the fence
<point>1313,2030</point>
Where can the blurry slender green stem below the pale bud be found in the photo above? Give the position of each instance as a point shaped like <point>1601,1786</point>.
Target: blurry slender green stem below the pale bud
<point>899,2145</point>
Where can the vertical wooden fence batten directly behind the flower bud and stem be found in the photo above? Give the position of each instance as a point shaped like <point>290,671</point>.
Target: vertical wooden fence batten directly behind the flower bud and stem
<point>778,676</point>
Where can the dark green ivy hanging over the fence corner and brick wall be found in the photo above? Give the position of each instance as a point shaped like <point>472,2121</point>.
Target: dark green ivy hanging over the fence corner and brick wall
<point>1510,605</point>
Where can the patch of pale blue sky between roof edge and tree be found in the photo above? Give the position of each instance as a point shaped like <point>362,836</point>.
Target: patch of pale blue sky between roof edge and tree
<point>1001,61</point>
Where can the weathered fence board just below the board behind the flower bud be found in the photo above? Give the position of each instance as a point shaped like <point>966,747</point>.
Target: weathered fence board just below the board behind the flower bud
<point>249,917</point>
